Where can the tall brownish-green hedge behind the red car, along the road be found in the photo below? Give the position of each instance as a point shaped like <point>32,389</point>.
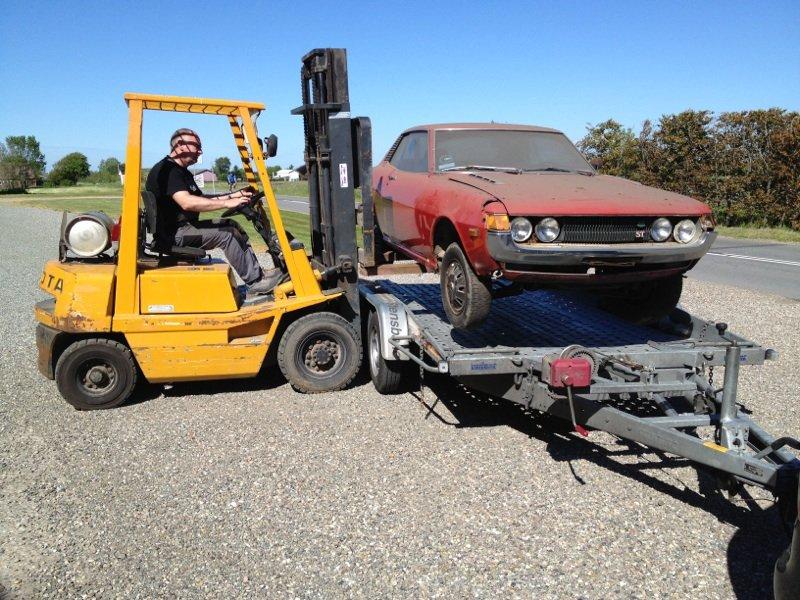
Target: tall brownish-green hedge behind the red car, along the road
<point>745,165</point>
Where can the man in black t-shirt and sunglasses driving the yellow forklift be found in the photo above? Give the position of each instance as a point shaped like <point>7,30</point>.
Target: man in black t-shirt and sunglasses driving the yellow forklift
<point>179,203</point>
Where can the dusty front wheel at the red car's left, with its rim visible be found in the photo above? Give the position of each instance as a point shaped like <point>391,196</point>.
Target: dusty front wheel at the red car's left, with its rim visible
<point>466,297</point>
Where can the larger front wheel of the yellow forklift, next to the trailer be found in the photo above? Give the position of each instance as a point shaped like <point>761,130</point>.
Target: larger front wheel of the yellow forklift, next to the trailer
<point>320,352</point>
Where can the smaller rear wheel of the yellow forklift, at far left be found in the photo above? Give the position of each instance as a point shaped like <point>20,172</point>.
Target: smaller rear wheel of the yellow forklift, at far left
<point>96,373</point>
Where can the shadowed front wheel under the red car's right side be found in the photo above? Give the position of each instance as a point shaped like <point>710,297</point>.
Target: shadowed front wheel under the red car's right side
<point>645,303</point>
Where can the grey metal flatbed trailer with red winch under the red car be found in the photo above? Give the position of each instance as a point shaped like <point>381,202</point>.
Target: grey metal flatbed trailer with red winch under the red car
<point>651,386</point>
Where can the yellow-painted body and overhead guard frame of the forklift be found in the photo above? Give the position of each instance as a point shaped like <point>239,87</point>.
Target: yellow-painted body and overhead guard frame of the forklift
<point>183,322</point>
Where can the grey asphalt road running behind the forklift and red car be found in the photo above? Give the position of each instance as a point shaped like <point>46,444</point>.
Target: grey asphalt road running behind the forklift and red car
<point>764,266</point>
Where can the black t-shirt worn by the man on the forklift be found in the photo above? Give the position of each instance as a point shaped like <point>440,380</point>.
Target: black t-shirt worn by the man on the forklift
<point>166,178</point>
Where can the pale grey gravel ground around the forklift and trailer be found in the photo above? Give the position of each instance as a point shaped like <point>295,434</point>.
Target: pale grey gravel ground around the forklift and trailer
<point>248,489</point>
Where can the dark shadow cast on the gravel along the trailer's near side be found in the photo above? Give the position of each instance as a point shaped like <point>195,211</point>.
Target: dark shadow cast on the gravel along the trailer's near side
<point>759,538</point>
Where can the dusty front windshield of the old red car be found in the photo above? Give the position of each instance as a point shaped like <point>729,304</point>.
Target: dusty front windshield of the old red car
<point>507,150</point>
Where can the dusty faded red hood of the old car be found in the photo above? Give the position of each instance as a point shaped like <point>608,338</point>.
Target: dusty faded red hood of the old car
<point>550,193</point>
